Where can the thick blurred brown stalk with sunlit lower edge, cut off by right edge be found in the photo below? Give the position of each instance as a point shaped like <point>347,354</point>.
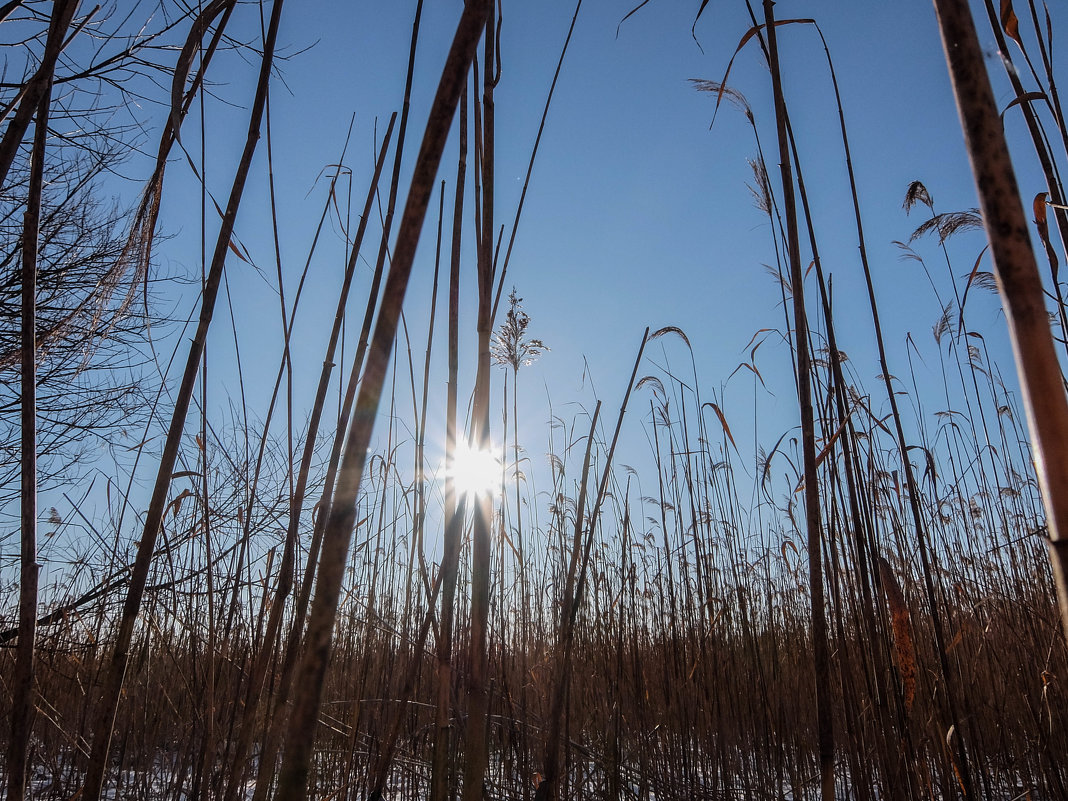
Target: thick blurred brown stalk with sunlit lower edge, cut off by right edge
<point>1018,279</point>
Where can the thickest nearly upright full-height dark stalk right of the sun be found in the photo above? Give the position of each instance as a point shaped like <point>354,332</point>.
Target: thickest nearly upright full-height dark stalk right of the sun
<point>822,666</point>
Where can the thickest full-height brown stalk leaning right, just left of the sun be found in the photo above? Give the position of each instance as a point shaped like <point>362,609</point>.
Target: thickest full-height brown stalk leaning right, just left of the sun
<point>336,542</point>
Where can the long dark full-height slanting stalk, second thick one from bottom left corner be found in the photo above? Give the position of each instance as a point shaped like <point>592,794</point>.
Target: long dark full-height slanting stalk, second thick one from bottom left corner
<point>139,574</point>
